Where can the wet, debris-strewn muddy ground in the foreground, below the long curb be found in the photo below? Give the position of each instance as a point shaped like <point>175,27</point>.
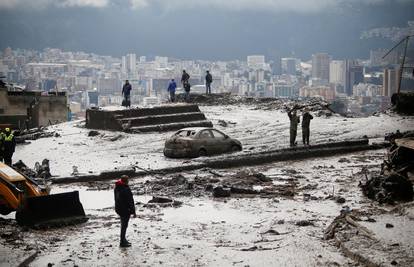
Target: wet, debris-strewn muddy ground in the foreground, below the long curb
<point>283,224</point>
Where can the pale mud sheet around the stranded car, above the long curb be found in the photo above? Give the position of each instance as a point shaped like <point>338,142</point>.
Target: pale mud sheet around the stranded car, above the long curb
<point>257,129</point>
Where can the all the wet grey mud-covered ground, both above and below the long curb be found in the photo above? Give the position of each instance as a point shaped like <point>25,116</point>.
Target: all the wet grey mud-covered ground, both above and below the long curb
<point>276,214</point>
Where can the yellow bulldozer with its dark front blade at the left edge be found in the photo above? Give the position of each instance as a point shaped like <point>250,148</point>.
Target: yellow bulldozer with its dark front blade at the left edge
<point>33,204</point>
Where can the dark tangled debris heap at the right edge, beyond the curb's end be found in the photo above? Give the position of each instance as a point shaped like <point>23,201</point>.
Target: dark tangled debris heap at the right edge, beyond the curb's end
<point>394,183</point>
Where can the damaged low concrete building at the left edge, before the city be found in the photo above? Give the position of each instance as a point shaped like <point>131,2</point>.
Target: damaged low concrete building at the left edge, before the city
<point>31,109</point>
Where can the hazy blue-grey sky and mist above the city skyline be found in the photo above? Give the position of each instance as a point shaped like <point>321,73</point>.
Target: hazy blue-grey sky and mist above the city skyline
<point>207,29</point>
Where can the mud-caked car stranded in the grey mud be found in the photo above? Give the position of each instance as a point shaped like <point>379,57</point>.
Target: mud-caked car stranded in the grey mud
<point>198,141</point>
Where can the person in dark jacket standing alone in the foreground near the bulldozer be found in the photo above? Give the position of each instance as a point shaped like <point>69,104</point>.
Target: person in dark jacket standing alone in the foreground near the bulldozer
<point>124,206</point>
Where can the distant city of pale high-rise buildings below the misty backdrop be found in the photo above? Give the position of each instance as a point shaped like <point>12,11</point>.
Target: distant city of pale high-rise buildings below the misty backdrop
<point>354,86</point>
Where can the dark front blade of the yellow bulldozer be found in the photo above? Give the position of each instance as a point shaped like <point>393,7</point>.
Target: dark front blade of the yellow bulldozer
<point>51,211</point>
